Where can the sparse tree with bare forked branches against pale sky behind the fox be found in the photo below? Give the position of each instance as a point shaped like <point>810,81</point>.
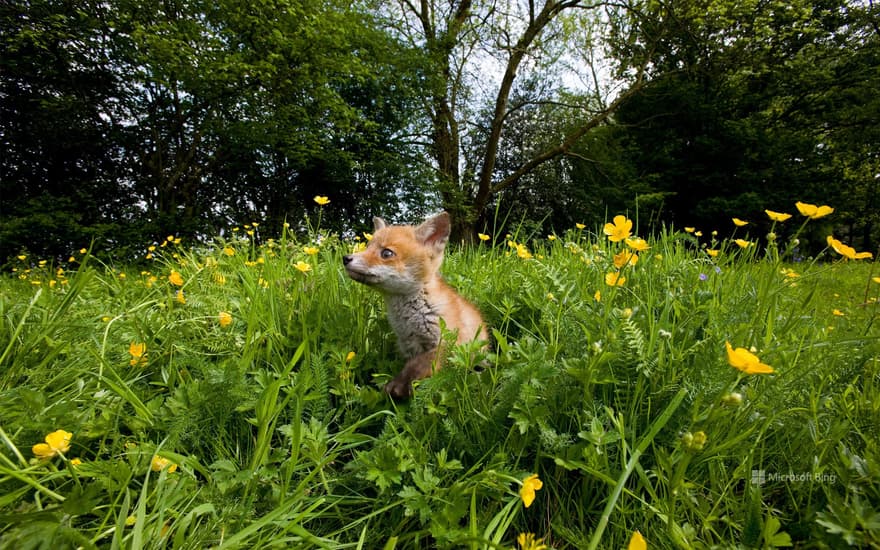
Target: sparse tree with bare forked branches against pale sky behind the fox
<point>475,53</point>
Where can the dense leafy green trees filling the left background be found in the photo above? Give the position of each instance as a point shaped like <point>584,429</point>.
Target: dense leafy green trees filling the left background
<point>127,121</point>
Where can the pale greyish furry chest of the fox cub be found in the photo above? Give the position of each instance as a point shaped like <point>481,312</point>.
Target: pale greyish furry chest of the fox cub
<point>415,321</point>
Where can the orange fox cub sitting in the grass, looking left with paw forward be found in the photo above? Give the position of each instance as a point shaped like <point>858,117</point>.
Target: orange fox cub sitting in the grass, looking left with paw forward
<point>402,262</point>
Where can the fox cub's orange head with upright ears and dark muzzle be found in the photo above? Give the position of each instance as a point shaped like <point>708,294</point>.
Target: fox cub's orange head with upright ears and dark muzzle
<point>400,259</point>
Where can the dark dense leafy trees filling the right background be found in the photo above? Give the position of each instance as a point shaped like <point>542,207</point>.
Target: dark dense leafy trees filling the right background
<point>758,106</point>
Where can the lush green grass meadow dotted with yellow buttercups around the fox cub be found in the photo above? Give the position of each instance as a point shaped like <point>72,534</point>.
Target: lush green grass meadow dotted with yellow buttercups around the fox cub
<point>681,391</point>
